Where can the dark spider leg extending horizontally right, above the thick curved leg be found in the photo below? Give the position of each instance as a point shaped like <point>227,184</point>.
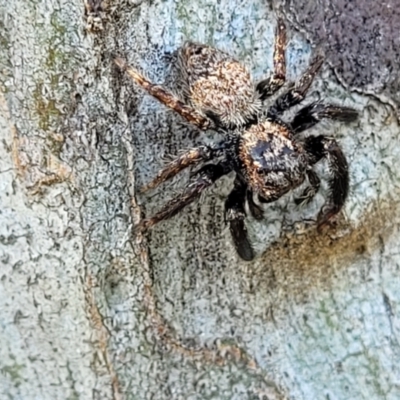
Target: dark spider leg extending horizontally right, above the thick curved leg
<point>314,112</point>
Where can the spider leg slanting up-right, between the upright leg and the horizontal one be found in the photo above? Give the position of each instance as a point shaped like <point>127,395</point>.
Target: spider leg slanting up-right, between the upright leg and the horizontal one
<point>297,92</point>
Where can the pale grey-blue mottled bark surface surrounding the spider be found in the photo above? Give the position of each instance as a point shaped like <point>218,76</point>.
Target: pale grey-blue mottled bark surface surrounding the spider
<point>89,310</point>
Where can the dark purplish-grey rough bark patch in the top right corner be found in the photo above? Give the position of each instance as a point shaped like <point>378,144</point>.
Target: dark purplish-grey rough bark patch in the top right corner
<point>360,39</point>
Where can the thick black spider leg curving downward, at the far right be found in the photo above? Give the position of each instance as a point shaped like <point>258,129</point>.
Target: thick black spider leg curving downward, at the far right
<point>319,147</point>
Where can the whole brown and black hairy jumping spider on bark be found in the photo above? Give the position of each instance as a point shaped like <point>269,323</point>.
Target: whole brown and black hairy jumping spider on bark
<point>269,157</point>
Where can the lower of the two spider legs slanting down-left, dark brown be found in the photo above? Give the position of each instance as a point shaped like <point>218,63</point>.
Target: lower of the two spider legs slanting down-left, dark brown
<point>206,177</point>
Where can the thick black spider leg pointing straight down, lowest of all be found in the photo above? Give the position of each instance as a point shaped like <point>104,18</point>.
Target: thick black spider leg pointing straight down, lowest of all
<point>235,214</point>
